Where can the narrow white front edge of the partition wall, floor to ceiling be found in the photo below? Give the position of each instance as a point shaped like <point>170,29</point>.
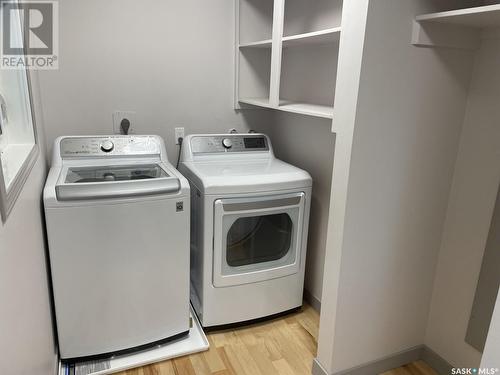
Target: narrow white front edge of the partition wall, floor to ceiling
<point>354,14</point>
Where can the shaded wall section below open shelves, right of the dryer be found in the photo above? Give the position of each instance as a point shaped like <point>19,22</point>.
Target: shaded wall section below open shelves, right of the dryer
<point>309,144</point>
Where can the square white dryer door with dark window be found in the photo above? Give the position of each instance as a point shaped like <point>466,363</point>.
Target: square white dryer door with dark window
<point>257,238</point>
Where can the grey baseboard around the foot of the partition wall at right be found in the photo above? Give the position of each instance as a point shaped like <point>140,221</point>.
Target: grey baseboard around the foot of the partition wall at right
<point>390,362</point>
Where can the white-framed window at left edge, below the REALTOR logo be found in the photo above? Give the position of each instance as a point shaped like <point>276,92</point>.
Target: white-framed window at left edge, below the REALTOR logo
<point>18,149</point>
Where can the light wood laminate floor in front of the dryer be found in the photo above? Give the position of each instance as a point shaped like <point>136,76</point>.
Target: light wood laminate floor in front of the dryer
<point>282,346</point>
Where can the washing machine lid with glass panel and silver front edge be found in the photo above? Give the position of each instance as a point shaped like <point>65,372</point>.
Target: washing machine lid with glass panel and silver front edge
<point>116,181</point>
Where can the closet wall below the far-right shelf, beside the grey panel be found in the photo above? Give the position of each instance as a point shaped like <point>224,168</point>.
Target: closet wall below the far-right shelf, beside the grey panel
<point>471,205</point>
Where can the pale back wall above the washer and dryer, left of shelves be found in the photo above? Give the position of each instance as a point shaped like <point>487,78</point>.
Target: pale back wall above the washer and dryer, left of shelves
<point>170,61</point>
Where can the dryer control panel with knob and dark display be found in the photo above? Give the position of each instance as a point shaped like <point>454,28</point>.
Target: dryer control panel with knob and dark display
<point>228,143</point>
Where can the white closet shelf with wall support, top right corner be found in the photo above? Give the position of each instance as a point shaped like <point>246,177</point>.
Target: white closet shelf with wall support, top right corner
<point>456,28</point>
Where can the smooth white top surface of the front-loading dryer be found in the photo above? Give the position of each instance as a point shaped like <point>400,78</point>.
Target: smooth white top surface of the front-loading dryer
<point>245,176</point>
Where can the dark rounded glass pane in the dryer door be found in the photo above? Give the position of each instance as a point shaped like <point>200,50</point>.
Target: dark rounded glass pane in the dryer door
<point>258,239</point>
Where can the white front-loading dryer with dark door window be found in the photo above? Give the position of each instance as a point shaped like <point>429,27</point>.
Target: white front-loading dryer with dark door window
<point>249,223</point>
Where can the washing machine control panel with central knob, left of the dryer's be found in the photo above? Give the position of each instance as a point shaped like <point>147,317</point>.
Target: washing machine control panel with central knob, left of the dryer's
<point>74,147</point>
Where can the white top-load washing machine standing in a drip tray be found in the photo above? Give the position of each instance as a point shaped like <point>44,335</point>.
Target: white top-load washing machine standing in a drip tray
<point>117,216</point>
